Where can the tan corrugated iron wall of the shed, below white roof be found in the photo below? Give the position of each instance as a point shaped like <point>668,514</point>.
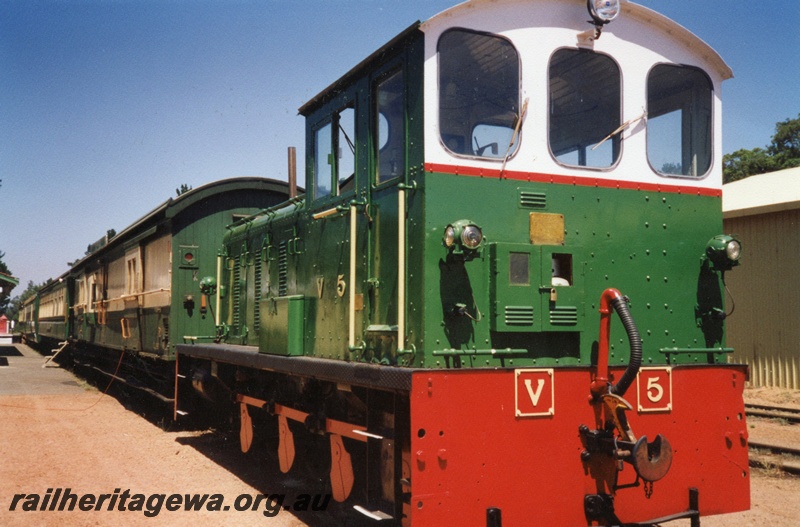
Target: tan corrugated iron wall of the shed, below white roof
<point>764,330</point>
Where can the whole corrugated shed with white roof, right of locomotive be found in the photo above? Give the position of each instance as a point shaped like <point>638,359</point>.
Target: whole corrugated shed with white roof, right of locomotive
<point>764,211</point>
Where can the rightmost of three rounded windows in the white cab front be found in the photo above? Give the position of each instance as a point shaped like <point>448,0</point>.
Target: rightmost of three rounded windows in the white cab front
<point>679,120</point>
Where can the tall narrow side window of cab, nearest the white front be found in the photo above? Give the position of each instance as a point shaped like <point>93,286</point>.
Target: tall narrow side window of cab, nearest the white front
<point>391,130</point>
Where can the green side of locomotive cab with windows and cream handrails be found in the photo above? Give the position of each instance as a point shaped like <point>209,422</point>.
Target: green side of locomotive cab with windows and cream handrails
<point>363,161</point>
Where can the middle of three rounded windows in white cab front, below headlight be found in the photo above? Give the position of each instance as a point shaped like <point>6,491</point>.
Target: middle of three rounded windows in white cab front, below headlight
<point>585,103</point>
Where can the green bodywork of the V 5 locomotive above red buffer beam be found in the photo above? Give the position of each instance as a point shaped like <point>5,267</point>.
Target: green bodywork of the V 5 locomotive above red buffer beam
<point>527,295</point>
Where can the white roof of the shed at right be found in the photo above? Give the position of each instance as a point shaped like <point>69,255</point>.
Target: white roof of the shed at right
<point>764,193</point>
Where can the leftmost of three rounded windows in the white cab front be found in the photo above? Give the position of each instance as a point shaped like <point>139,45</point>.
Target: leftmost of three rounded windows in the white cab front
<point>478,94</point>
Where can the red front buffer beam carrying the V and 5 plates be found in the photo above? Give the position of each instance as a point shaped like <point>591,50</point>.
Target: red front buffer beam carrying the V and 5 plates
<point>469,451</point>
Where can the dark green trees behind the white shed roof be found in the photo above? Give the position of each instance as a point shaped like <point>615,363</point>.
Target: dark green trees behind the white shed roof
<point>783,152</point>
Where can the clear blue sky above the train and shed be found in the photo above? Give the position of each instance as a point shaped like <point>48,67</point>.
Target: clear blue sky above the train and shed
<point>108,106</point>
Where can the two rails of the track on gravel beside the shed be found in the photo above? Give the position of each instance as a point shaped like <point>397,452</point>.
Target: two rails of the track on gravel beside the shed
<point>774,456</point>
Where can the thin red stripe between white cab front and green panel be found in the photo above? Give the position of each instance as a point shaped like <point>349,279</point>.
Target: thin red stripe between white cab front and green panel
<point>569,180</point>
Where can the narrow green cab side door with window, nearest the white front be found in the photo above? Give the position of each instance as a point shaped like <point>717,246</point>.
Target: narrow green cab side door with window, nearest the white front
<point>386,287</point>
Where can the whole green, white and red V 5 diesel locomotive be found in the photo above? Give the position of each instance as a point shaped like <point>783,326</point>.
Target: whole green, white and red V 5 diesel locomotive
<point>501,299</point>
